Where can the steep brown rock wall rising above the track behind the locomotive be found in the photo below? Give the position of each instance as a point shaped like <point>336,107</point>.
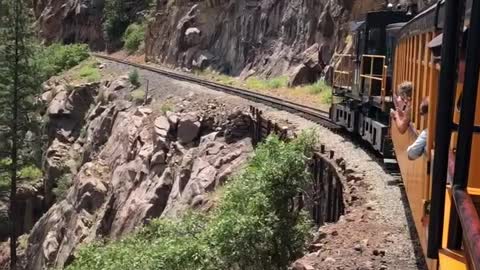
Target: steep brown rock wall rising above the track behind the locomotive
<point>270,37</point>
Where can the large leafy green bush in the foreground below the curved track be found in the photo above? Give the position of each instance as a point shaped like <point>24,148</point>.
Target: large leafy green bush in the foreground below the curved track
<point>254,225</point>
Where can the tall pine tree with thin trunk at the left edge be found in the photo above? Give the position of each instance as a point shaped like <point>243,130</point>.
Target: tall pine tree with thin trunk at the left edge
<point>18,88</point>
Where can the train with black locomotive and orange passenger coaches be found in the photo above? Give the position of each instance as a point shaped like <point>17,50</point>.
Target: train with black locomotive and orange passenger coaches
<point>438,51</point>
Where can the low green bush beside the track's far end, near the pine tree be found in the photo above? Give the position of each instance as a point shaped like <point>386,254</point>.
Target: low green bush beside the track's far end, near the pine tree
<point>56,58</point>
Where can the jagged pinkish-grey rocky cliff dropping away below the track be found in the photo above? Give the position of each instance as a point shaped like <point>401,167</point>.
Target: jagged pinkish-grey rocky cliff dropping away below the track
<point>135,165</point>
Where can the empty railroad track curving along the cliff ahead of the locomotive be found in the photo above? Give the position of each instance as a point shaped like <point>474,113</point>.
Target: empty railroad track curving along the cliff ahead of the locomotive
<point>319,116</point>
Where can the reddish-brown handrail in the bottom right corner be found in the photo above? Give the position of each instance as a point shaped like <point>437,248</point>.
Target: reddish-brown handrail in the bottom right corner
<point>470,221</point>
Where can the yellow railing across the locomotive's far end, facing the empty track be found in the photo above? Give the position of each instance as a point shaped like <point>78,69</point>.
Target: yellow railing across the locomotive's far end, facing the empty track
<point>343,71</point>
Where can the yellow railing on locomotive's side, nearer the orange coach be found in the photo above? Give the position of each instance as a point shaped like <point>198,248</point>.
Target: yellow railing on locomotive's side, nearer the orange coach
<point>370,77</point>
